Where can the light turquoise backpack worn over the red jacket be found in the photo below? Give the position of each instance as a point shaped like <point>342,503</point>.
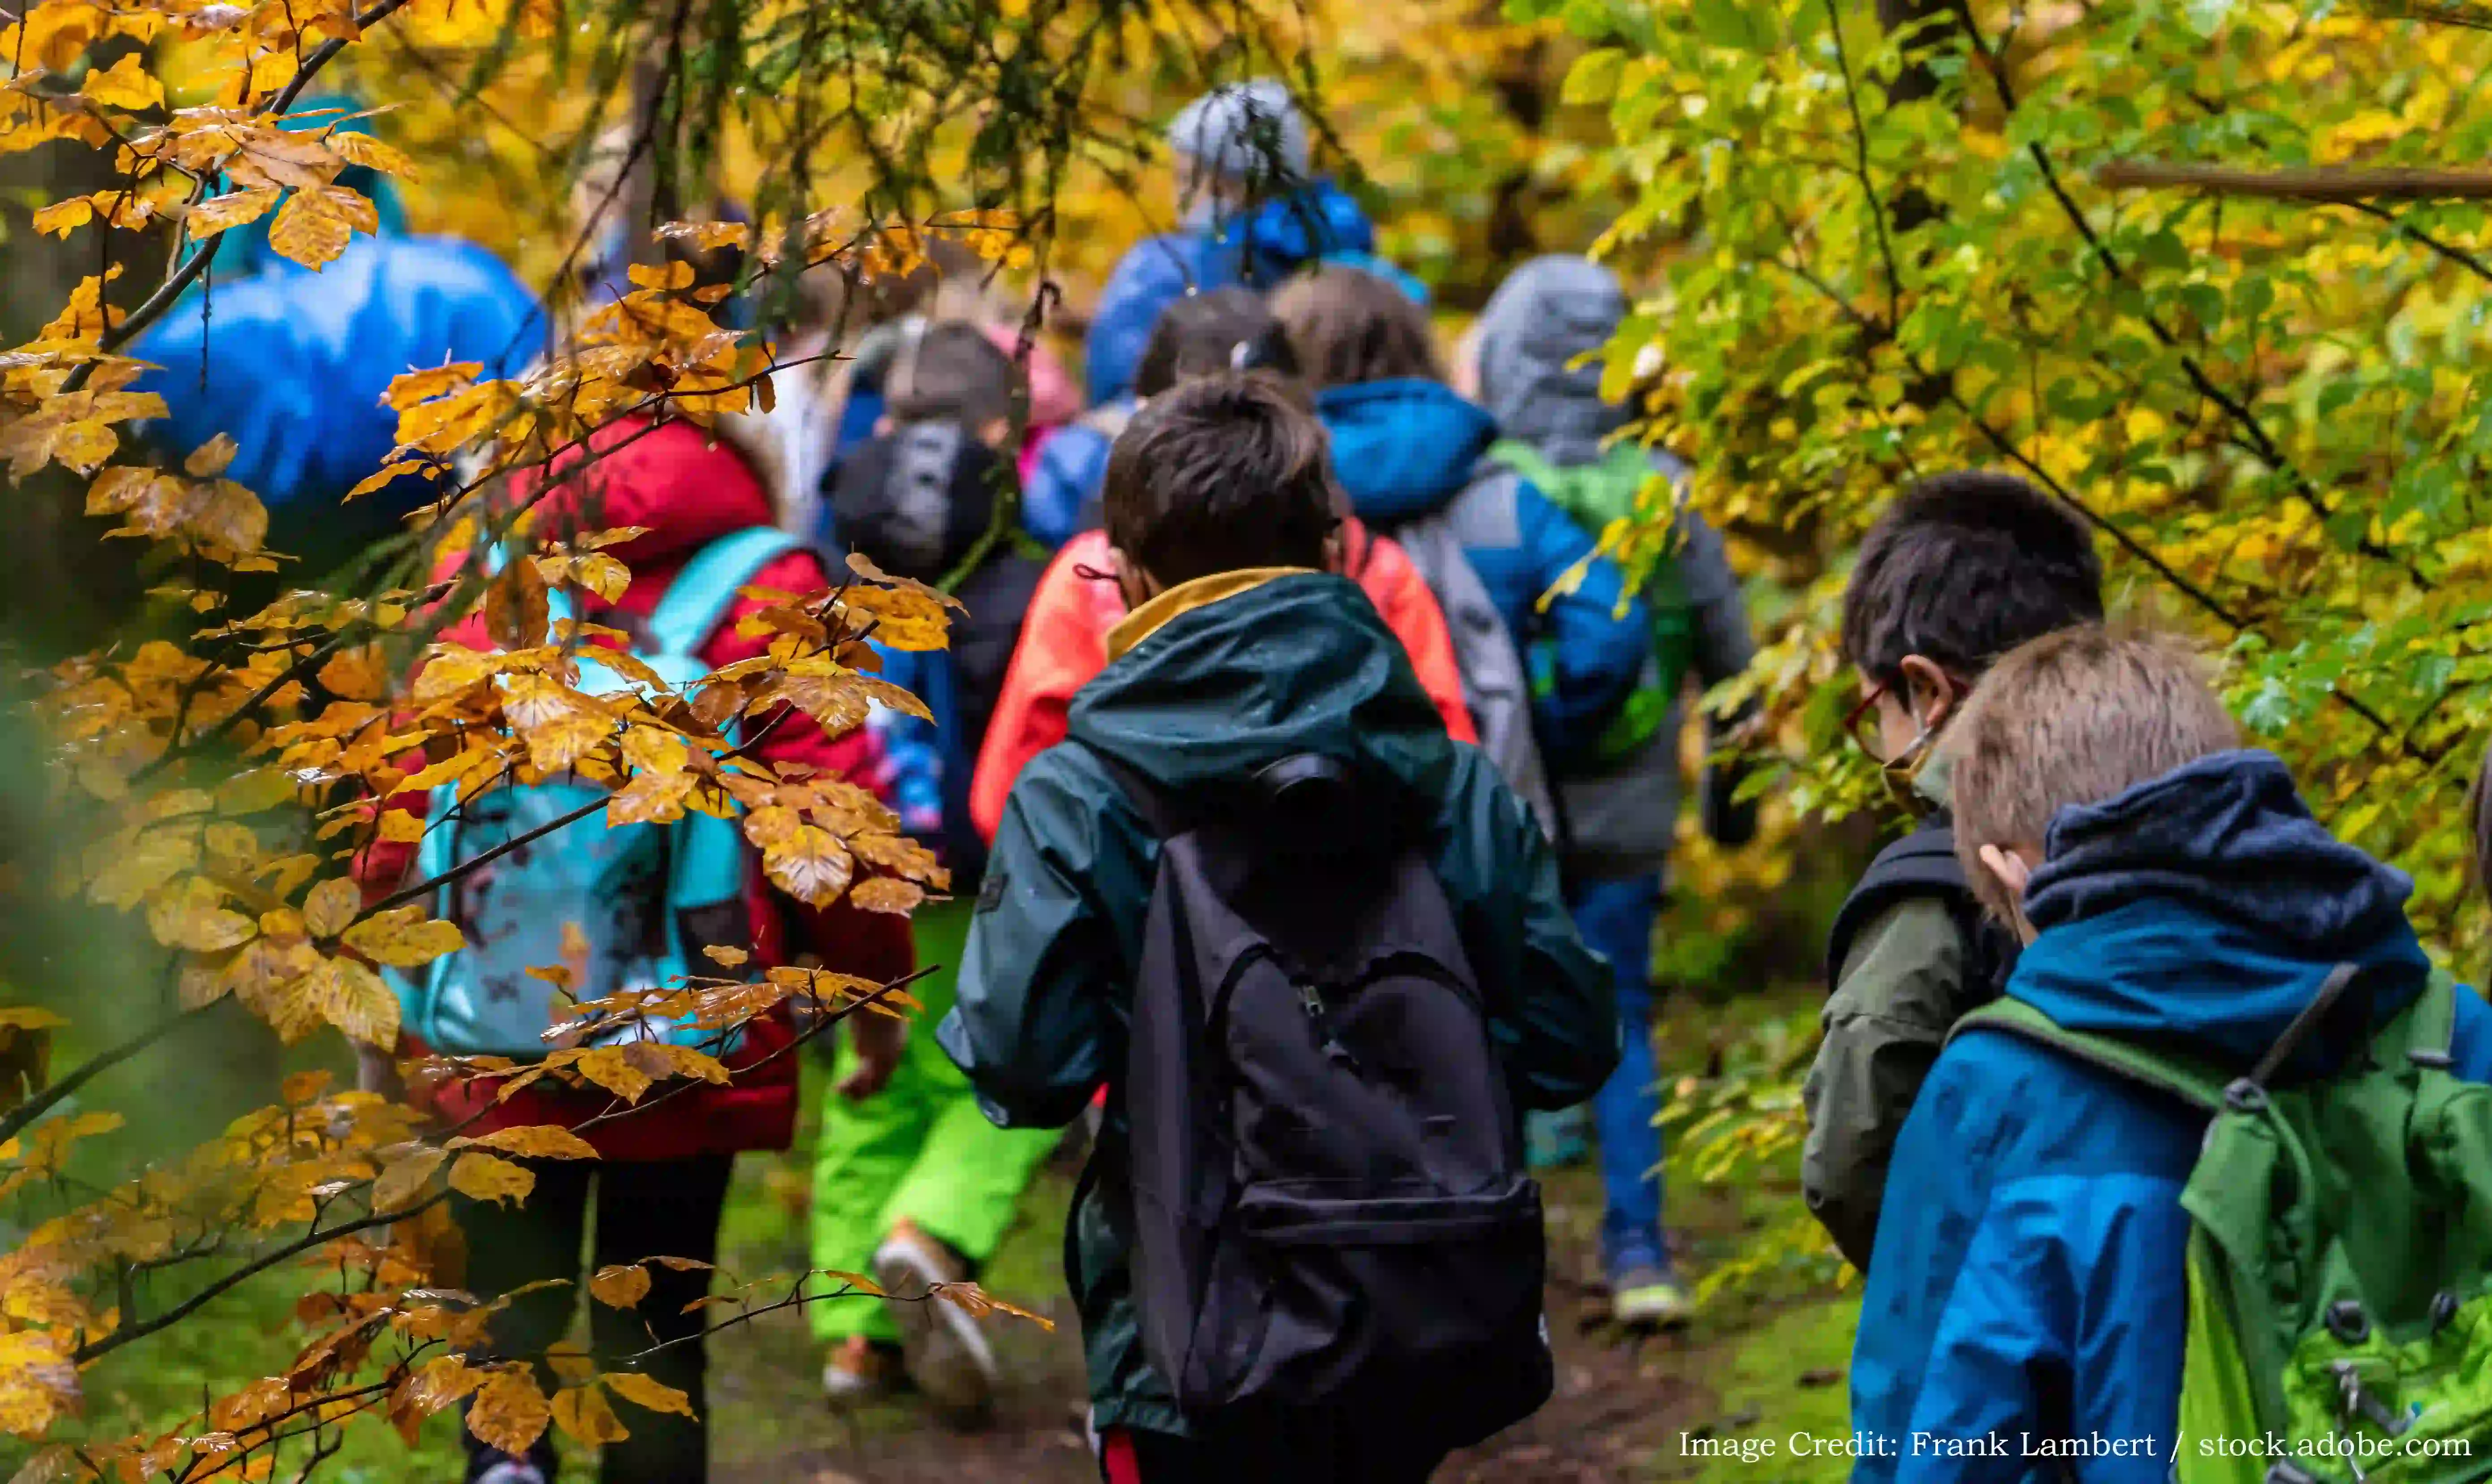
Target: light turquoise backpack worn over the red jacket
<point>644,898</point>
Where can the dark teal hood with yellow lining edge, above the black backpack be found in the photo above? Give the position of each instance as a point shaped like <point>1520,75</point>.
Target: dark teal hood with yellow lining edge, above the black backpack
<point>1300,664</point>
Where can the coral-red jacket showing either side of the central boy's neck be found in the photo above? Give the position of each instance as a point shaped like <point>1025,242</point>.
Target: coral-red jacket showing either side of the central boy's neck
<point>1065,646</point>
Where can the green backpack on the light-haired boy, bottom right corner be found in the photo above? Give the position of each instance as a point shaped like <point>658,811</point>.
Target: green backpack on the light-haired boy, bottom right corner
<point>2339,1259</point>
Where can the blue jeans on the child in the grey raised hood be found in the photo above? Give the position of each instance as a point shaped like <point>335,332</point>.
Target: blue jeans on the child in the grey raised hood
<point>1616,920</point>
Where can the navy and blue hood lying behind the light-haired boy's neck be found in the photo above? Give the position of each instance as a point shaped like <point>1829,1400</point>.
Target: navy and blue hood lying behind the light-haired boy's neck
<point>2207,908</point>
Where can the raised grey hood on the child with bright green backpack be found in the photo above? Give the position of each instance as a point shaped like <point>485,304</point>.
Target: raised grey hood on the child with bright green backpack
<point>1541,320</point>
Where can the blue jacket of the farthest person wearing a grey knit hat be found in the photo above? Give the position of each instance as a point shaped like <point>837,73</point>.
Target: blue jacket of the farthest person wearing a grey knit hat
<point>1260,250</point>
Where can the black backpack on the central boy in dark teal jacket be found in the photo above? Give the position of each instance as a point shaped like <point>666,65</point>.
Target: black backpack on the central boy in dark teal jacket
<point>1327,1174</point>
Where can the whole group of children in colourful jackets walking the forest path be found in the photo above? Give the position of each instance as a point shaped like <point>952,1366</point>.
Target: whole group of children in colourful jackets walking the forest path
<point>1300,751</point>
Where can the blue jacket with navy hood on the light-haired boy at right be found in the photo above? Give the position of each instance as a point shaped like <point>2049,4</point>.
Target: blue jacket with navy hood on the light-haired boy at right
<point>2030,1261</point>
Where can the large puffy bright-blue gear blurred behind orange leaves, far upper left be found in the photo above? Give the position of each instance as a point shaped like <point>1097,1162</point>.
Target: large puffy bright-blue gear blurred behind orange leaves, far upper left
<point>295,362</point>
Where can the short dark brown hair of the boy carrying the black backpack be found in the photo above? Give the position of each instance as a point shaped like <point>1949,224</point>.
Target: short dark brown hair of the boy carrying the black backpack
<point>1220,474</point>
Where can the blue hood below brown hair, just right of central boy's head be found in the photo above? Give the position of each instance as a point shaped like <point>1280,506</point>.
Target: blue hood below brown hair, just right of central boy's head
<point>1402,447</point>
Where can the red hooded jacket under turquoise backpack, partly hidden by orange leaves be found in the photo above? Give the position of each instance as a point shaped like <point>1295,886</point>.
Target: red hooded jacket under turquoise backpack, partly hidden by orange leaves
<point>689,492</point>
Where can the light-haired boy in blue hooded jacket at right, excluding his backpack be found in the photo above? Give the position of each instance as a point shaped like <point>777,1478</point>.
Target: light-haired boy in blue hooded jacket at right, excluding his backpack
<point>2174,898</point>
